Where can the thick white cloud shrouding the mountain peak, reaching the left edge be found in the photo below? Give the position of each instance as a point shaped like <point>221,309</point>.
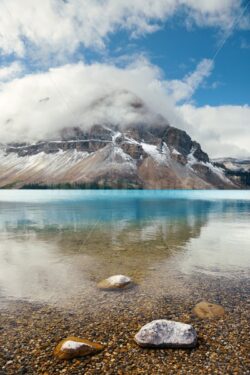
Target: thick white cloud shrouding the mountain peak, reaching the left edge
<point>39,106</point>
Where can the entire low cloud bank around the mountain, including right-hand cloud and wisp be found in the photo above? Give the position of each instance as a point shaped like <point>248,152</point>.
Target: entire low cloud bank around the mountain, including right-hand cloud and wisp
<point>39,106</point>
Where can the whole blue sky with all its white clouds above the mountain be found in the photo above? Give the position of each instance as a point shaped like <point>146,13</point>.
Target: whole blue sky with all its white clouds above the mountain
<point>78,62</point>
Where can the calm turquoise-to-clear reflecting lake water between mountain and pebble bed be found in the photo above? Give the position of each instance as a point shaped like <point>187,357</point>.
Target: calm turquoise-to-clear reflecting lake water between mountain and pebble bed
<point>55,245</point>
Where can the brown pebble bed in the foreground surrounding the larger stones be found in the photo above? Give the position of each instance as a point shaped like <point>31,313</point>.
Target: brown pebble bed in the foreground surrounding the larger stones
<point>29,332</point>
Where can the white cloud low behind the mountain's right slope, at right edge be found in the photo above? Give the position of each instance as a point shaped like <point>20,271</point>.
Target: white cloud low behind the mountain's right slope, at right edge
<point>222,130</point>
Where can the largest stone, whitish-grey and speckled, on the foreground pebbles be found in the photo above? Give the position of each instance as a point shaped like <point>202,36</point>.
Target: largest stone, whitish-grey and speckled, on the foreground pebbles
<point>166,334</point>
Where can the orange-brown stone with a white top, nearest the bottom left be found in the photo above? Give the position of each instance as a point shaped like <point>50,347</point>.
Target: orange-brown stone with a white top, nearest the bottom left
<point>73,347</point>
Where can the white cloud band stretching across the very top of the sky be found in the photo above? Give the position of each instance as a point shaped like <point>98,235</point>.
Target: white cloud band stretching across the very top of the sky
<point>58,28</point>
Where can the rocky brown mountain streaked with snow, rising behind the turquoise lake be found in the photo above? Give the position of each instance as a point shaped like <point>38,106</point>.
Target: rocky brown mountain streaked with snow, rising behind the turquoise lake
<point>148,154</point>
